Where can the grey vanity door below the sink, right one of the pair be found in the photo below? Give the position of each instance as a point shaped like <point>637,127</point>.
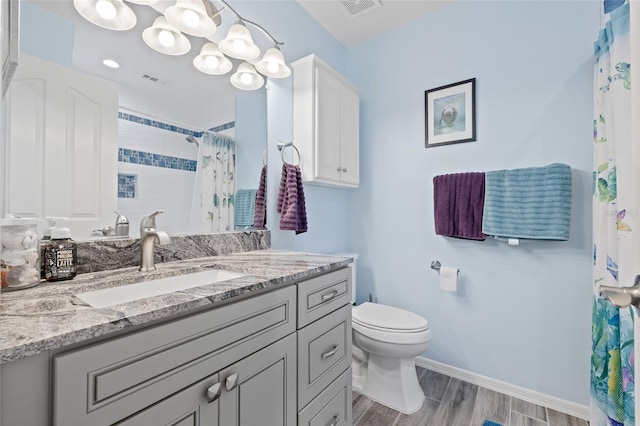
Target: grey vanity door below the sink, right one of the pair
<point>261,389</point>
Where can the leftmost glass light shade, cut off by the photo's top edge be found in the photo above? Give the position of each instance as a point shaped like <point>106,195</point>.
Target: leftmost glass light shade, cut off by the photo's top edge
<point>109,14</point>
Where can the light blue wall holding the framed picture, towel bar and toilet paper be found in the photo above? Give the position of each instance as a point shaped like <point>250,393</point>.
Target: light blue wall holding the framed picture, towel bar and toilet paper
<point>521,314</point>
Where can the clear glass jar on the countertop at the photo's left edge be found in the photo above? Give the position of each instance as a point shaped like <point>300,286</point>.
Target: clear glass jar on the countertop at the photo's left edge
<point>19,254</point>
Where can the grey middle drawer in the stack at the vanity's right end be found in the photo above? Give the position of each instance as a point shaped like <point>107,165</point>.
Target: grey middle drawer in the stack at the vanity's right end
<point>324,352</point>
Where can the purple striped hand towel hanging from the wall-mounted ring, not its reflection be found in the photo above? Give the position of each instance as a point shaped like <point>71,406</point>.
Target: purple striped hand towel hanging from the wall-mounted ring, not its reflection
<point>291,202</point>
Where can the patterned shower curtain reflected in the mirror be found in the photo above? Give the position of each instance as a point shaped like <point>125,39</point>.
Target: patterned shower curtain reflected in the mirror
<point>212,209</point>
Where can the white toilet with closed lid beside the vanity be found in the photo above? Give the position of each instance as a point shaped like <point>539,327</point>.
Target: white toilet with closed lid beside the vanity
<point>385,342</point>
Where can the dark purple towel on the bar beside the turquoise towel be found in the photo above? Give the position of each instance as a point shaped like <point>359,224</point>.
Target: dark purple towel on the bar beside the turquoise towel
<point>458,203</point>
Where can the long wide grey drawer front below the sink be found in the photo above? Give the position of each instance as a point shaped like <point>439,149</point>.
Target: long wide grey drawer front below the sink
<point>108,381</point>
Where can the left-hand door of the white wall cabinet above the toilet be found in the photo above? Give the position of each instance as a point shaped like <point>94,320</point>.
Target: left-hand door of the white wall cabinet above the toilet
<point>327,146</point>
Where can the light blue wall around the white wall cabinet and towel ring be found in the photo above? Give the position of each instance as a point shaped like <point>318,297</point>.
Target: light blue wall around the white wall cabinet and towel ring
<point>326,207</point>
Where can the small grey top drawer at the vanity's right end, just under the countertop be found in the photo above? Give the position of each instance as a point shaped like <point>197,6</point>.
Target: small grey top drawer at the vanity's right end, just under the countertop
<point>319,296</point>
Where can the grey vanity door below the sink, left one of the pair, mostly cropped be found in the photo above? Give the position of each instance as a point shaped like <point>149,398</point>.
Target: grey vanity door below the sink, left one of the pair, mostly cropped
<point>196,405</point>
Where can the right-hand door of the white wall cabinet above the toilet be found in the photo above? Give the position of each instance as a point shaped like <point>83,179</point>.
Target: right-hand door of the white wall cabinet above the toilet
<point>349,136</point>
